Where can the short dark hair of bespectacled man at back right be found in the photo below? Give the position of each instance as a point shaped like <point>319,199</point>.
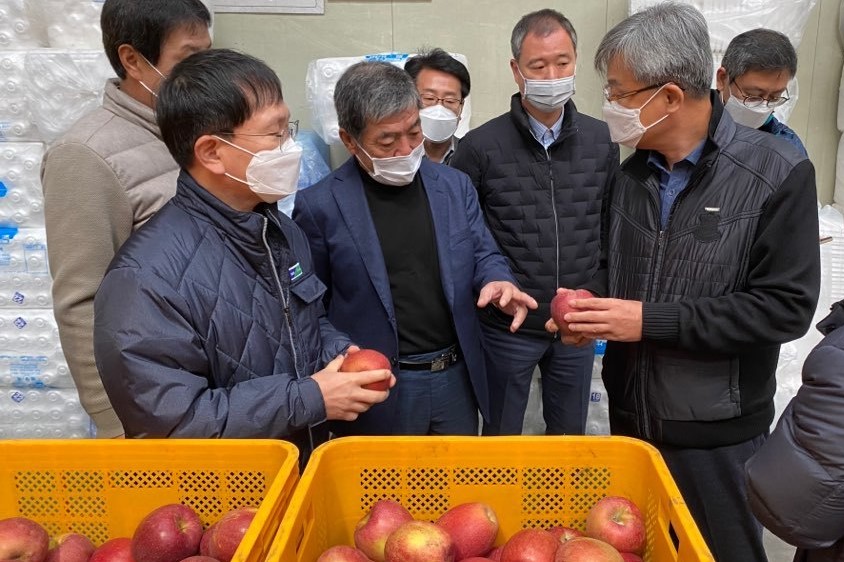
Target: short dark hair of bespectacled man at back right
<point>759,49</point>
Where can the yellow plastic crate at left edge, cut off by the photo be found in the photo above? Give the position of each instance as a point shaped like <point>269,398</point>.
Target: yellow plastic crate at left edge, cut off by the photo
<point>103,488</point>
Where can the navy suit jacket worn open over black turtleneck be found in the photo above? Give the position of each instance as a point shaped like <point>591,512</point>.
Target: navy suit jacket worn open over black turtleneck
<point>347,257</point>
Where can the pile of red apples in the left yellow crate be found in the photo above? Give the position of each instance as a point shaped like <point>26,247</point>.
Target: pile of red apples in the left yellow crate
<point>171,533</point>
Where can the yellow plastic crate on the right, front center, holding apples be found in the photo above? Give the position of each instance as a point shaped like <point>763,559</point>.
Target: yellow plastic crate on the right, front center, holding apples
<point>529,481</point>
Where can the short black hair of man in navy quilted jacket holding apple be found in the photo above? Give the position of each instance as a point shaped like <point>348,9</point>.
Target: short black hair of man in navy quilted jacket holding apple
<point>212,92</point>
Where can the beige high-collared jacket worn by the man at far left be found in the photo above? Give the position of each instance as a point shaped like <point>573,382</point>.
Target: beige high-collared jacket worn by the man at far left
<point>102,180</point>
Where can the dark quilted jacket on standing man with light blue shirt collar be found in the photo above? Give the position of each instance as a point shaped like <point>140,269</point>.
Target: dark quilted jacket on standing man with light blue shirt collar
<point>542,207</point>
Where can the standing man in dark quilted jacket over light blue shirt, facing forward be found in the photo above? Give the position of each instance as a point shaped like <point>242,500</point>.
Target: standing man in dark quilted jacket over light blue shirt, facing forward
<point>540,171</point>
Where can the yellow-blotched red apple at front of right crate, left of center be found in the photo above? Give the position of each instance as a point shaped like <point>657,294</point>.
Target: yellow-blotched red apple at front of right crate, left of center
<point>419,541</point>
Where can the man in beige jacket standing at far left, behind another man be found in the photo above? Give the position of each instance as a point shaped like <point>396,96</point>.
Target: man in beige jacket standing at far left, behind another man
<point>111,172</point>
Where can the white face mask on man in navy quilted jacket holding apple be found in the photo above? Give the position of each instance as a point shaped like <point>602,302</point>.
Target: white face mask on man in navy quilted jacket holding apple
<point>272,174</point>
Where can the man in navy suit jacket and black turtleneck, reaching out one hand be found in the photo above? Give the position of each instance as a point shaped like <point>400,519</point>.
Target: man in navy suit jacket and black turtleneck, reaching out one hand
<point>402,246</point>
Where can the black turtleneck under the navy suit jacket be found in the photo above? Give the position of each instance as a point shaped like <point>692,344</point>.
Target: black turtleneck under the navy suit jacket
<point>405,227</point>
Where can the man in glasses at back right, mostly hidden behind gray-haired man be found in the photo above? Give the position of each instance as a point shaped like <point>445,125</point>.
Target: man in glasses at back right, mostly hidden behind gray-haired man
<point>753,81</point>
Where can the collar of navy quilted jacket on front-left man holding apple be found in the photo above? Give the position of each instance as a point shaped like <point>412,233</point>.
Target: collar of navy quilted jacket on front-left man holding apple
<point>244,227</point>
